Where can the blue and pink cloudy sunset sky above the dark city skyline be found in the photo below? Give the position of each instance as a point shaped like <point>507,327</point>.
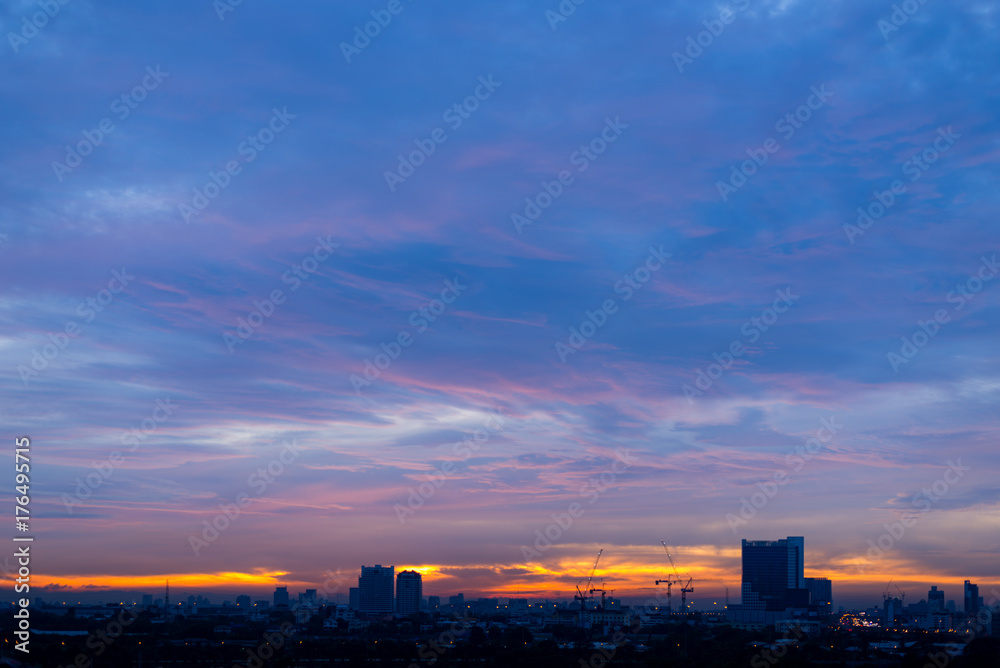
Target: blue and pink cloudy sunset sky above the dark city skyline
<point>282,298</point>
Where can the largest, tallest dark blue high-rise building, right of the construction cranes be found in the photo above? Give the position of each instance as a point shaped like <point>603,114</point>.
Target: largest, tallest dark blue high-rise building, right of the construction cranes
<point>774,574</point>
